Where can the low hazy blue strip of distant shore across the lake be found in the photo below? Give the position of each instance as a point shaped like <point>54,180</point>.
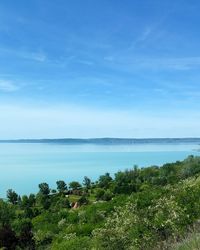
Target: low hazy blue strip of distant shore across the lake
<point>104,141</point>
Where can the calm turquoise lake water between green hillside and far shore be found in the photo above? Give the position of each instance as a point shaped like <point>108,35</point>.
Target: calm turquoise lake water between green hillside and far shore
<point>24,165</point>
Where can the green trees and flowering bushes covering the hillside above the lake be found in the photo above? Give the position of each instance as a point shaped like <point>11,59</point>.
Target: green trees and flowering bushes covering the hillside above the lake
<point>139,208</point>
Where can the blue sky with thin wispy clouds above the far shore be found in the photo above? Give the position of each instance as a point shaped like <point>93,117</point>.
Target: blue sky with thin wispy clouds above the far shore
<point>99,68</point>
